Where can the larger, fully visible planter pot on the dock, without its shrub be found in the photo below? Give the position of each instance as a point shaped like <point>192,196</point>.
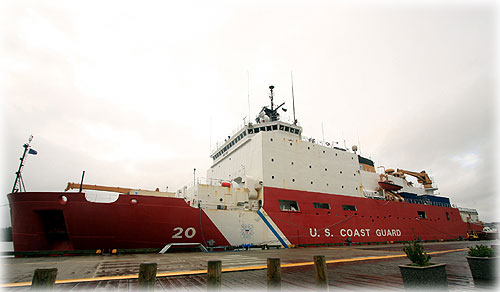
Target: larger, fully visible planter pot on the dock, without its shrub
<point>428,277</point>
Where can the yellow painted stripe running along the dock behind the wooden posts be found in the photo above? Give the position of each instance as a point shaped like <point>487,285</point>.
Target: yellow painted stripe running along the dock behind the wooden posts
<point>234,269</point>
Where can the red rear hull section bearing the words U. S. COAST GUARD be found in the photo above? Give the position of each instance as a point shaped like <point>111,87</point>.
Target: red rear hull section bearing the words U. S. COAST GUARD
<point>372,221</point>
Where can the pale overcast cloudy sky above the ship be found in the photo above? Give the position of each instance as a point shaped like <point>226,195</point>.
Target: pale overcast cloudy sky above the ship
<point>137,93</point>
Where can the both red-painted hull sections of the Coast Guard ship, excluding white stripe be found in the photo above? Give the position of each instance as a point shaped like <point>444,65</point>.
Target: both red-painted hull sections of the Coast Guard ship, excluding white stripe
<point>44,221</point>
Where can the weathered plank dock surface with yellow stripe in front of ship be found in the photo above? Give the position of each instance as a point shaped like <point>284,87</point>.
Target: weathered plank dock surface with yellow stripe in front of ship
<point>349,267</point>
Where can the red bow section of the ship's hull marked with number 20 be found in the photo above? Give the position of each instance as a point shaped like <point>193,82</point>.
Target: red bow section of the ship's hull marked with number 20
<point>42,221</point>
